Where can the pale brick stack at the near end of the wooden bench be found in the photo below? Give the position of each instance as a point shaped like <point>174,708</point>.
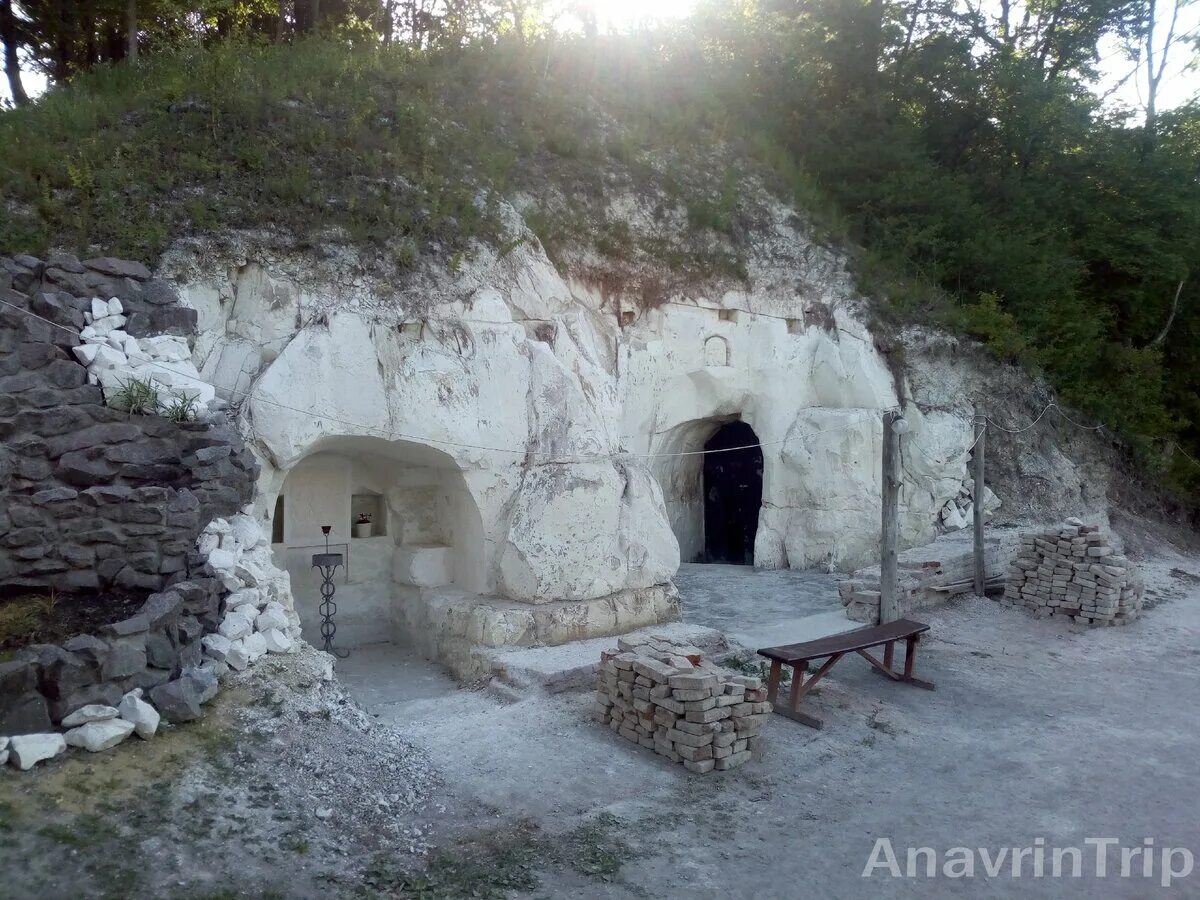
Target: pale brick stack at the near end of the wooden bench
<point>667,698</point>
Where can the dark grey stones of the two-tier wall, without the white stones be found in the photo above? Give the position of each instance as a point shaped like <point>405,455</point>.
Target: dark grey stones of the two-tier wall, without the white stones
<point>104,505</point>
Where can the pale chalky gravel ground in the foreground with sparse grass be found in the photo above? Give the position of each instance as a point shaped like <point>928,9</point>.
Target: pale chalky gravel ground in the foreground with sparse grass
<point>1039,730</point>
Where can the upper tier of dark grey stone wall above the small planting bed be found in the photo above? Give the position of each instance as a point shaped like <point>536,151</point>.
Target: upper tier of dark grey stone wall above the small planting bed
<point>93,499</point>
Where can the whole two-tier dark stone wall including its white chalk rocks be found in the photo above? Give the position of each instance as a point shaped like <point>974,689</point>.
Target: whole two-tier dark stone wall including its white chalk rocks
<point>139,514</point>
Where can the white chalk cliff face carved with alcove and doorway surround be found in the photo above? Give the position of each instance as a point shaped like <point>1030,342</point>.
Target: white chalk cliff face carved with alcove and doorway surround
<point>527,449</point>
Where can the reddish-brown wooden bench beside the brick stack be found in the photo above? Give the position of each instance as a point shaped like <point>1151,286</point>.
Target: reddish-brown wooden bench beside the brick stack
<point>860,641</point>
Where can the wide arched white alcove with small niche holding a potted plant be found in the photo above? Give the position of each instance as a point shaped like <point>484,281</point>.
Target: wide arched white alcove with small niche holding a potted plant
<point>427,532</point>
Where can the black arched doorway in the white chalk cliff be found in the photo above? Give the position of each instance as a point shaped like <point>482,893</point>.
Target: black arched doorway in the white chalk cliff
<point>733,495</point>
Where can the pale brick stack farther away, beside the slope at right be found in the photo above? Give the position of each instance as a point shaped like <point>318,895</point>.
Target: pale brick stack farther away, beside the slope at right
<point>1073,572</point>
